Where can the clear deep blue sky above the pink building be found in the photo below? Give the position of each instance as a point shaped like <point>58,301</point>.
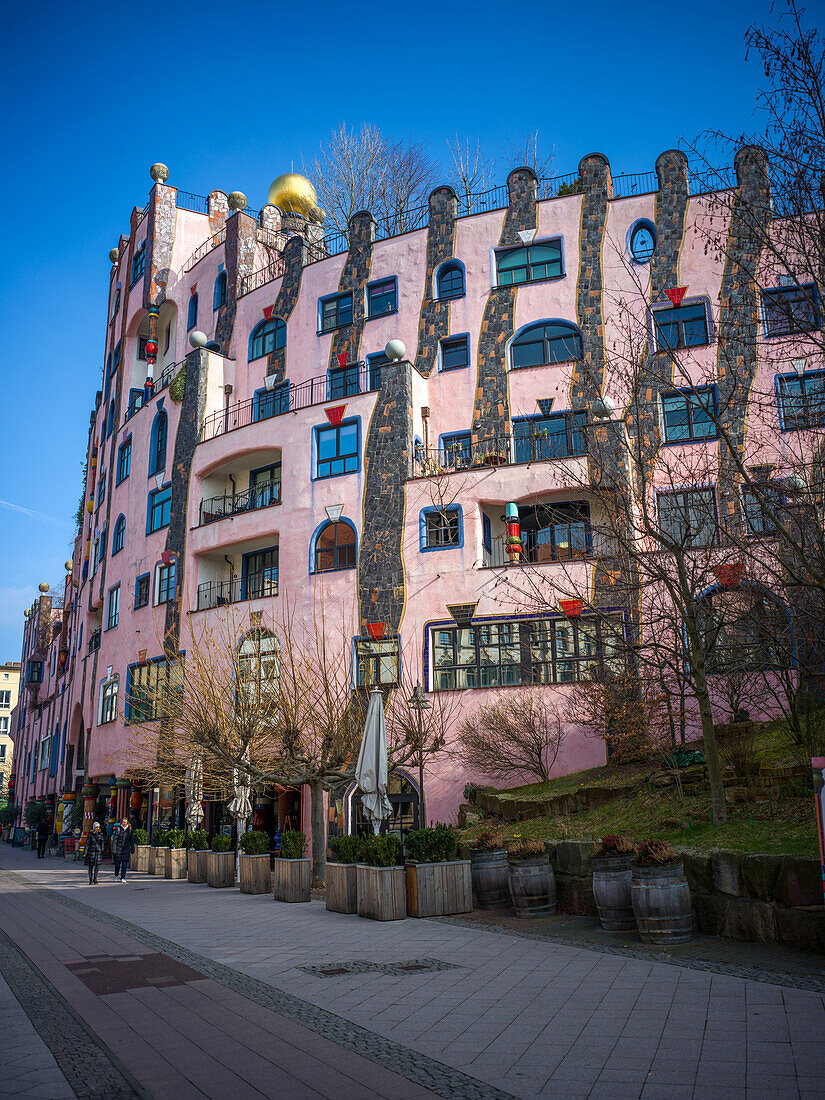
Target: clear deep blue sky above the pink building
<point>229,96</point>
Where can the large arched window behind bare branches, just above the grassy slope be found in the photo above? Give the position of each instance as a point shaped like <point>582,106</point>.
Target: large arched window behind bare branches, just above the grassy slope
<point>745,630</point>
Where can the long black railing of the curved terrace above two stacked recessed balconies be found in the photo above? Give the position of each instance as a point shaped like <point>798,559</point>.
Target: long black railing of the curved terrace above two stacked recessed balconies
<point>288,399</point>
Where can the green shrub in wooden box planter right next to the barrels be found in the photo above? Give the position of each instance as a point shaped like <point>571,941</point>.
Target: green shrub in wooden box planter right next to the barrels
<point>439,882</point>
